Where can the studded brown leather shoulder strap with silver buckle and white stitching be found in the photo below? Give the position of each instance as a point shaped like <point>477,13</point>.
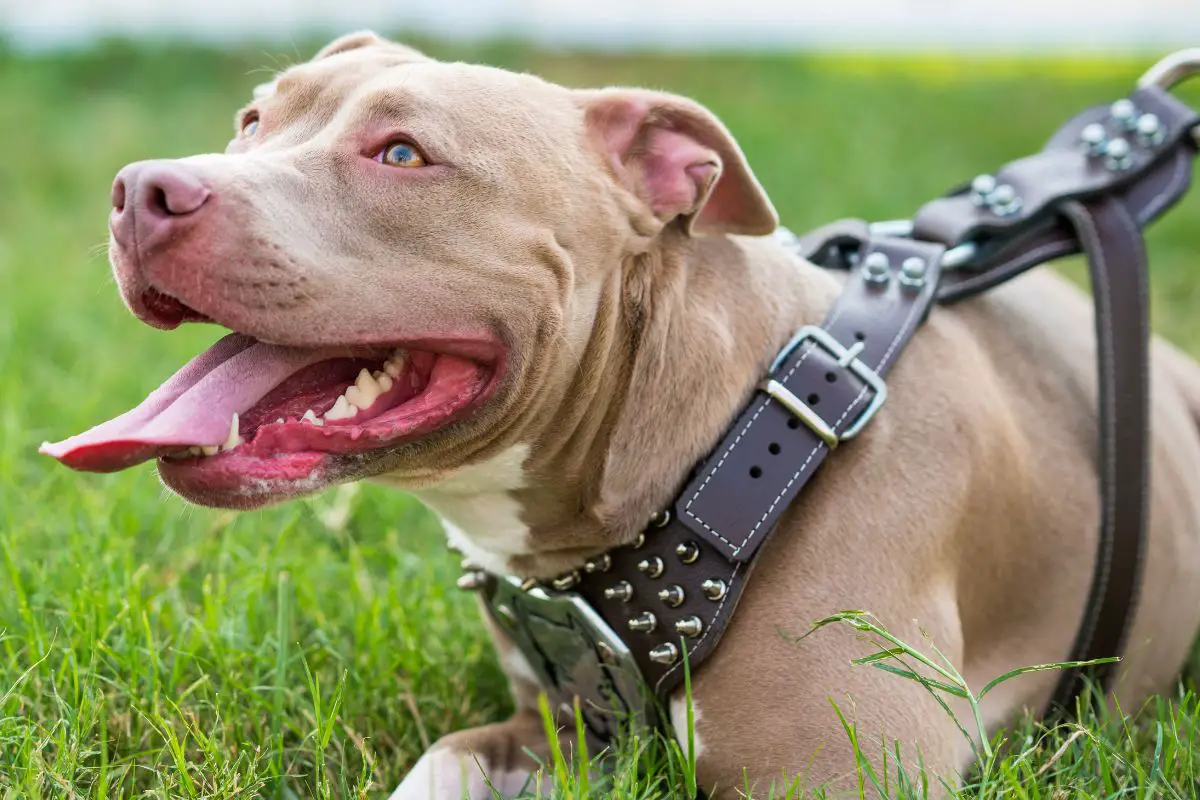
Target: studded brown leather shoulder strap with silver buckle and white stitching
<point>701,556</point>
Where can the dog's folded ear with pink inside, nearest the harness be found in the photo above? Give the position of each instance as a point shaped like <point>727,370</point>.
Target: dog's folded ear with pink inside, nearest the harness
<point>680,160</point>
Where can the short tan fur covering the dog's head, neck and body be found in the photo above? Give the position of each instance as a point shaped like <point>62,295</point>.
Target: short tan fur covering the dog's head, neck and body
<point>968,509</point>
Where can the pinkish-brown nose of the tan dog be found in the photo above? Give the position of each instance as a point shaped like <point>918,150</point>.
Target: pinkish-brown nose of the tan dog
<point>152,200</point>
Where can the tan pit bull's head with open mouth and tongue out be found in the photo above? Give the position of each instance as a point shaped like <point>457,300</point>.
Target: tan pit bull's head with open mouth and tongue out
<point>410,255</point>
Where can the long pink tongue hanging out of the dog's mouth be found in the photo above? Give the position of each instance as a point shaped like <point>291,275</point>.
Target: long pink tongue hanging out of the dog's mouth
<point>195,407</point>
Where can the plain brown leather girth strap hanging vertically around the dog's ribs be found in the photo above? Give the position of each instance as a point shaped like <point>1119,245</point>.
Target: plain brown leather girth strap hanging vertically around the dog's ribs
<point>1118,261</point>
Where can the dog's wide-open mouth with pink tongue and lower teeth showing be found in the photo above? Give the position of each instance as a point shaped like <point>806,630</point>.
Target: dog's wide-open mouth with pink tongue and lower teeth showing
<point>253,418</point>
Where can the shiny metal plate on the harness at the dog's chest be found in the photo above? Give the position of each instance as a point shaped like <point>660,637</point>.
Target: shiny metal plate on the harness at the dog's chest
<point>573,652</point>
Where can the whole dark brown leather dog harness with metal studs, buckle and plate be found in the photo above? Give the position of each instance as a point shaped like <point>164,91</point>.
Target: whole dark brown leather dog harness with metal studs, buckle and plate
<point>616,634</point>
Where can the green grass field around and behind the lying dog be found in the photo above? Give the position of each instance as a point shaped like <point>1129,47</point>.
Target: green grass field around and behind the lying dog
<point>153,649</point>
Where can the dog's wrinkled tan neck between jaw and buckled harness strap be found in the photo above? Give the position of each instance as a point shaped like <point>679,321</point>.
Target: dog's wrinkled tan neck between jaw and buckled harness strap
<point>680,339</point>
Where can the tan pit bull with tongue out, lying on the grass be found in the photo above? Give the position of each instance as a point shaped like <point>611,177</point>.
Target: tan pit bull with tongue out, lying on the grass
<point>537,308</point>
